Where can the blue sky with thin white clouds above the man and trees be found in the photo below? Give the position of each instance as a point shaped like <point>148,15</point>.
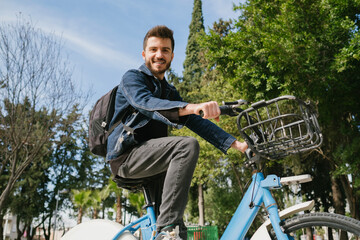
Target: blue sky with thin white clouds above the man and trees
<point>103,38</point>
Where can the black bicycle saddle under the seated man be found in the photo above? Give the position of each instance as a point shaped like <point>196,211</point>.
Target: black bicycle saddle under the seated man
<point>135,184</point>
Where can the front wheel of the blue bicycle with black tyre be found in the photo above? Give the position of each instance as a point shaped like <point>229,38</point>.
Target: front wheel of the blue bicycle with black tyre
<point>324,226</point>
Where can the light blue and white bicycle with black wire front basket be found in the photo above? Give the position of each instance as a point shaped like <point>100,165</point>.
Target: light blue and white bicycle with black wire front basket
<point>273,129</point>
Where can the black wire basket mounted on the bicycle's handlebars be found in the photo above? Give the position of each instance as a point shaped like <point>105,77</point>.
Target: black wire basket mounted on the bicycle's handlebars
<point>279,127</point>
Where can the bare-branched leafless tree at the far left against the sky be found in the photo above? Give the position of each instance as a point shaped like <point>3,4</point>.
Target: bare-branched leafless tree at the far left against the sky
<point>37,94</point>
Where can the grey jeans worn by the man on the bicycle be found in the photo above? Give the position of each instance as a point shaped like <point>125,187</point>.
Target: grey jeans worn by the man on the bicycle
<point>176,157</point>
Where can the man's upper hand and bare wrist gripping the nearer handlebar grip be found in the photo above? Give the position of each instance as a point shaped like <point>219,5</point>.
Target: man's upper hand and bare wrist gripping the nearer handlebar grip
<point>210,110</point>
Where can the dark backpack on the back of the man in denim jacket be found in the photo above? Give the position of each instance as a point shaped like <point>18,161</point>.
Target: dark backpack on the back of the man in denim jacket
<point>100,117</point>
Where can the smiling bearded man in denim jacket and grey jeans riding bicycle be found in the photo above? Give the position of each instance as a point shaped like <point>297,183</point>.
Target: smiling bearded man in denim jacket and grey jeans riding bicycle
<point>140,146</point>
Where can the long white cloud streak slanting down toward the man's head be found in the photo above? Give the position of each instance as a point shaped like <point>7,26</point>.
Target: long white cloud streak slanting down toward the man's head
<point>77,34</point>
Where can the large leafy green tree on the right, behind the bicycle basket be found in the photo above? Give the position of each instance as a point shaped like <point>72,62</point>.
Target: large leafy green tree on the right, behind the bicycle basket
<point>309,49</point>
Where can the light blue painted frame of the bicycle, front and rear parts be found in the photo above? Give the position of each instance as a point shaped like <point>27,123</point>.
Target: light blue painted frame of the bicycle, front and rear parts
<point>257,194</point>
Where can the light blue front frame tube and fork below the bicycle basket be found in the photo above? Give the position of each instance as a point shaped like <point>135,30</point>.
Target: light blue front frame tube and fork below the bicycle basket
<point>257,194</point>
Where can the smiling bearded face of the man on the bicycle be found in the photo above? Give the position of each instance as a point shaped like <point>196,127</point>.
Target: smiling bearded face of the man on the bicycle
<point>158,55</point>
